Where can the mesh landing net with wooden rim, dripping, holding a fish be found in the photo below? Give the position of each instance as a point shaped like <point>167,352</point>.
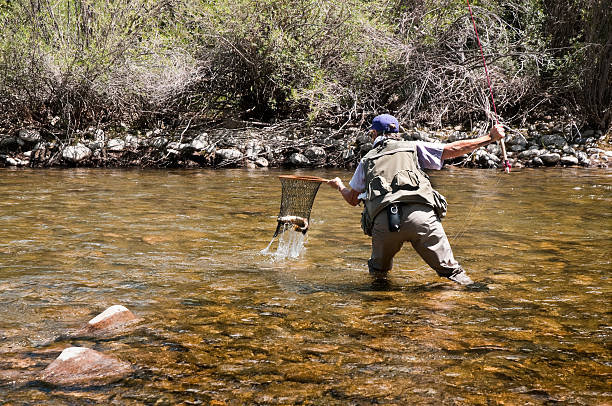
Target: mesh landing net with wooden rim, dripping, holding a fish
<point>298,194</point>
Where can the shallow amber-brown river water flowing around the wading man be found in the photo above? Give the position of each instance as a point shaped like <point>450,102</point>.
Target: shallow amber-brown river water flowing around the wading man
<point>223,324</point>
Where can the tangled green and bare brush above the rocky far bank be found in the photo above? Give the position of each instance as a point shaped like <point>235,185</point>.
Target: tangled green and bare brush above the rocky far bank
<point>70,64</point>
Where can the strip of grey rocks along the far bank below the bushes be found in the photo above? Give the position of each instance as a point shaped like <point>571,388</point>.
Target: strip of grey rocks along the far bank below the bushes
<point>252,145</point>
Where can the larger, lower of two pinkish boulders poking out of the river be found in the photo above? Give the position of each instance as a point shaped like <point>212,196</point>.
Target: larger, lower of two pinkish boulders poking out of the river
<point>84,367</point>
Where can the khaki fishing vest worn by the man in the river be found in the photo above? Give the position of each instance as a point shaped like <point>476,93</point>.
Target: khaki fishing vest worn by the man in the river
<point>393,175</point>
